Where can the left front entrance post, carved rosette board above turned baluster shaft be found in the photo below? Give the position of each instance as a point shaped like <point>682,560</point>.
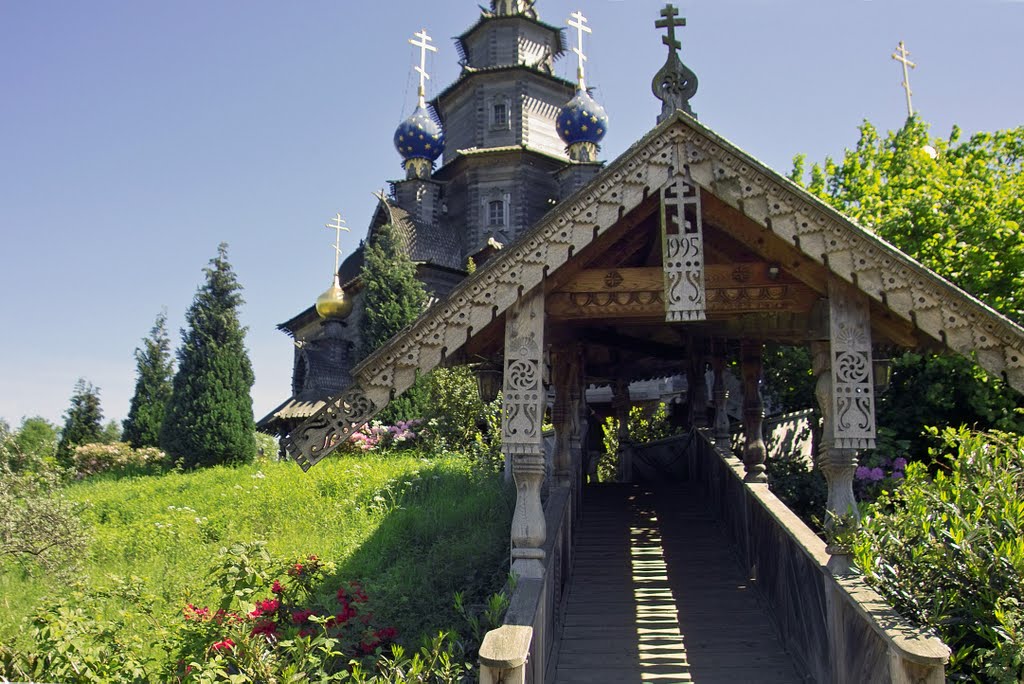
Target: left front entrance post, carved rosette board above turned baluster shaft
<point>524,398</point>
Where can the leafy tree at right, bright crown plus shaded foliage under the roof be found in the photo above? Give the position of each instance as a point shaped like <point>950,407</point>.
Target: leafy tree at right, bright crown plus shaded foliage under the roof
<point>958,208</point>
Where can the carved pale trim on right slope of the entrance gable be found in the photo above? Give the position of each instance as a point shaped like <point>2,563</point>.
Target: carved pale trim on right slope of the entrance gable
<point>880,271</point>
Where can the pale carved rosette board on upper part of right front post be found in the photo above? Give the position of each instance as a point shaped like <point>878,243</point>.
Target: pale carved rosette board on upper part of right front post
<point>852,381</point>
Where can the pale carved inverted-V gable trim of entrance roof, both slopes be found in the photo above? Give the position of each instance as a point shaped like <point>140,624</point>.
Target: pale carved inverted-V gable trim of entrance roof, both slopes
<point>782,220</point>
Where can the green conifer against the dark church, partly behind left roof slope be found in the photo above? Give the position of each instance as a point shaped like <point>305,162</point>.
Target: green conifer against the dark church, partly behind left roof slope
<point>393,298</point>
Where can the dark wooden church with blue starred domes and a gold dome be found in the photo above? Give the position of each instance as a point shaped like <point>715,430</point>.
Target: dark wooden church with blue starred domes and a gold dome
<point>511,140</point>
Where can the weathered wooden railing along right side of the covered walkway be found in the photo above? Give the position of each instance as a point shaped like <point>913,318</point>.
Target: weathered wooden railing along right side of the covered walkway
<point>838,628</point>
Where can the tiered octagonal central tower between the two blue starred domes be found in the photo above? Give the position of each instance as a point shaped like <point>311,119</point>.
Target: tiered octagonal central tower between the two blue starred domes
<point>500,119</point>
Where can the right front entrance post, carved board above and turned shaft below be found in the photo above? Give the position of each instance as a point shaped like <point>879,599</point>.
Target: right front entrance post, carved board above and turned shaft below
<point>846,396</point>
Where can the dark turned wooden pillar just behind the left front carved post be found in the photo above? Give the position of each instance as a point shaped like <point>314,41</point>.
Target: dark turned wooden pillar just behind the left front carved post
<point>566,414</point>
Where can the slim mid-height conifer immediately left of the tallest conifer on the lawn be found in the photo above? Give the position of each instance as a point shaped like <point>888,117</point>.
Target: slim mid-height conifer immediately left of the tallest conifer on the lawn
<point>155,371</point>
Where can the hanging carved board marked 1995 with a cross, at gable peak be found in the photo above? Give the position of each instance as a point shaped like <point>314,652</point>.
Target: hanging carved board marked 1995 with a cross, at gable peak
<point>682,250</point>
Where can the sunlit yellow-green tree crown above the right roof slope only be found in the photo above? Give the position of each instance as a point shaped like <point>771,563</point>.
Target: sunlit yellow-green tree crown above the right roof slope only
<point>957,207</point>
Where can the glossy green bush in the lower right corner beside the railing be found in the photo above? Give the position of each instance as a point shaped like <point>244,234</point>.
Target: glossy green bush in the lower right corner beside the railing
<point>949,551</point>
